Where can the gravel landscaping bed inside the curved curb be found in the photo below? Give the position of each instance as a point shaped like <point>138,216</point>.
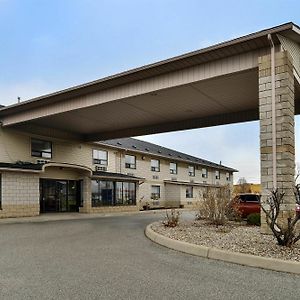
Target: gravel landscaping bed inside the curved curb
<point>233,236</point>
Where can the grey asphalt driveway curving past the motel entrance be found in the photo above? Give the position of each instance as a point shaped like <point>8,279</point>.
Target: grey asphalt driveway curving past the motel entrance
<point>110,258</point>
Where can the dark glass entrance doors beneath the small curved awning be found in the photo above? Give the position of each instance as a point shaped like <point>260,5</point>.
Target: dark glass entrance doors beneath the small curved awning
<point>59,195</point>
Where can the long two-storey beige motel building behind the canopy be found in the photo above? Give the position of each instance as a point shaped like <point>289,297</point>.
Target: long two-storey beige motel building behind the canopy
<point>41,174</point>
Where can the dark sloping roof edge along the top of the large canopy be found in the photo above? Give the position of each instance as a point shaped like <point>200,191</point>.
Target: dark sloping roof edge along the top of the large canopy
<point>251,36</point>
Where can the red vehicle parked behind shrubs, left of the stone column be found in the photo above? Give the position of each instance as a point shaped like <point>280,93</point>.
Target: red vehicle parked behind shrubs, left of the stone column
<point>247,204</point>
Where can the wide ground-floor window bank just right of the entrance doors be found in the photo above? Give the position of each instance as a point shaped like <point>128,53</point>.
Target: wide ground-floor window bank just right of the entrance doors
<point>111,193</point>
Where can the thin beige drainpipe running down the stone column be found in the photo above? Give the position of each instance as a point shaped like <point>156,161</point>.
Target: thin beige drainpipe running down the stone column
<point>273,105</point>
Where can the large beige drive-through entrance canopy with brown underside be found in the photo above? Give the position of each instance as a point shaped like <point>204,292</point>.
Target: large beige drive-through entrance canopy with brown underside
<point>213,86</point>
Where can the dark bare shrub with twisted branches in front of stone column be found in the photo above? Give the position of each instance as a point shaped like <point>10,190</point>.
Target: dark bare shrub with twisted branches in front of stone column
<point>284,233</point>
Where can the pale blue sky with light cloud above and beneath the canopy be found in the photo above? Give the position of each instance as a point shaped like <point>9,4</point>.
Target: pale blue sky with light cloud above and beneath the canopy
<point>46,46</point>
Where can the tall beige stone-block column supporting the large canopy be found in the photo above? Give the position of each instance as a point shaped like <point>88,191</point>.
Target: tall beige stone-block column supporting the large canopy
<point>285,137</point>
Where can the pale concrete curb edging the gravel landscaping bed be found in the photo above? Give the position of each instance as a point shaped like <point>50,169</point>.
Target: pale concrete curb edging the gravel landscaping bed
<point>228,256</point>
